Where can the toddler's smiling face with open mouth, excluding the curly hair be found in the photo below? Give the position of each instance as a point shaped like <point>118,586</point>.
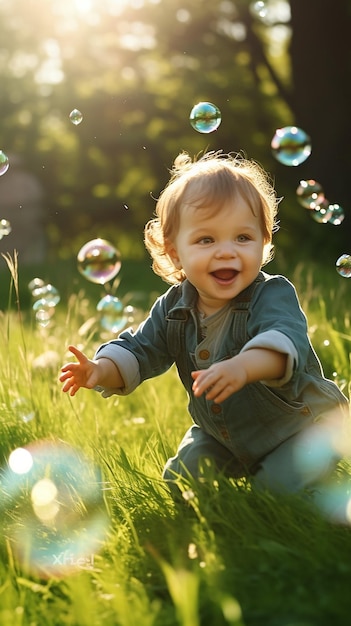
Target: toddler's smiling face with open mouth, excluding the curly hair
<point>220,251</point>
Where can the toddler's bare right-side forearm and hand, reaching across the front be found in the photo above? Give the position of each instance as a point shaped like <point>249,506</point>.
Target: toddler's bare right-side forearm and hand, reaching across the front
<point>223,379</point>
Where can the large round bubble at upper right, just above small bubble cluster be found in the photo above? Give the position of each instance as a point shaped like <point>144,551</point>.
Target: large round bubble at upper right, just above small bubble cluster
<point>291,145</point>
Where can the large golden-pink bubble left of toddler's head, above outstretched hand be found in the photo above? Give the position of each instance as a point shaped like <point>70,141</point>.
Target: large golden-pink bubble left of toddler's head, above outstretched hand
<point>98,261</point>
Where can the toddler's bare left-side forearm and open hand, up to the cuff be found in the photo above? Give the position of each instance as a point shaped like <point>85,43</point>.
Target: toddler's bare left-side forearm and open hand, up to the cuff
<point>89,373</point>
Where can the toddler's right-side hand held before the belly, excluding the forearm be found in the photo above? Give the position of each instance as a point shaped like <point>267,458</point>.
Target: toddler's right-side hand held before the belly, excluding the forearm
<point>219,381</point>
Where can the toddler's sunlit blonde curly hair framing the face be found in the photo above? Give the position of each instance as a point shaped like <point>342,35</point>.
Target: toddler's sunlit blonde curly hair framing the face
<point>208,181</point>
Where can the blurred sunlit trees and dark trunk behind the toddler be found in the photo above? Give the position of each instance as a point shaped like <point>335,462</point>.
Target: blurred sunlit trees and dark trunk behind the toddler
<point>135,69</point>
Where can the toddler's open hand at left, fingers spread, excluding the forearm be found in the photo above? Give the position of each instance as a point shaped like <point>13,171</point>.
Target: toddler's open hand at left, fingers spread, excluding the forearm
<point>77,375</point>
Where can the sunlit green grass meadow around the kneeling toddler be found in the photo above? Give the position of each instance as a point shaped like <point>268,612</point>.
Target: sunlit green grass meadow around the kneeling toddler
<point>224,555</point>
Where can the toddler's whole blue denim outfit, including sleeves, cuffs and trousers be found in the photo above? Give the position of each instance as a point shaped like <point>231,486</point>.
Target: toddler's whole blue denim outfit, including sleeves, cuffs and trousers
<point>285,434</point>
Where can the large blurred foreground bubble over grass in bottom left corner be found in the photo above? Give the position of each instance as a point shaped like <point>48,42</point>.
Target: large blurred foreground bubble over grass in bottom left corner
<point>52,508</point>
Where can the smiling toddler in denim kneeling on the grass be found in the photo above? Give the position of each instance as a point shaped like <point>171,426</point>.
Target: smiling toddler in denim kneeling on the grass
<point>259,402</point>
